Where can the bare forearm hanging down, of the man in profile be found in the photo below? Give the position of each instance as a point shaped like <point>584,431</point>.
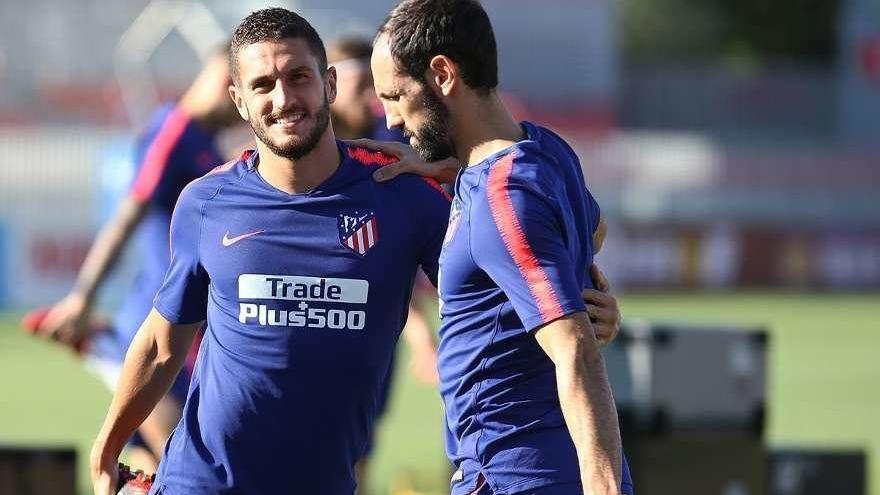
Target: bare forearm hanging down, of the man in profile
<point>589,411</point>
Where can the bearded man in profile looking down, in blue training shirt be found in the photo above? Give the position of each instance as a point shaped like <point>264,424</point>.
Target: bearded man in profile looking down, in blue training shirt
<point>528,405</point>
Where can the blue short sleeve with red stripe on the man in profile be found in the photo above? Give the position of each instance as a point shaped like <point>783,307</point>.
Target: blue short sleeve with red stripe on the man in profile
<point>518,239</point>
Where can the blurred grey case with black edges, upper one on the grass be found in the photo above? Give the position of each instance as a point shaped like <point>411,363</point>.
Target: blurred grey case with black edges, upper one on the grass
<point>692,378</point>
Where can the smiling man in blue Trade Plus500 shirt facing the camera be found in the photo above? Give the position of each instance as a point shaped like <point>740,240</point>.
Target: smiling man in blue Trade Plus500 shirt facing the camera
<point>303,268</point>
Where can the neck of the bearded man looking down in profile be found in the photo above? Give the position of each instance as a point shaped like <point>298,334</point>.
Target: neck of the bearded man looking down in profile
<point>484,128</point>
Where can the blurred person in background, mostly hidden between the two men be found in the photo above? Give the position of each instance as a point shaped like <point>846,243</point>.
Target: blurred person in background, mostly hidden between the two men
<point>356,113</point>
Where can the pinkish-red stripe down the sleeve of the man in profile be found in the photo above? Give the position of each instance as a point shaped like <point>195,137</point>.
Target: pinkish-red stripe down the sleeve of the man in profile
<point>515,240</point>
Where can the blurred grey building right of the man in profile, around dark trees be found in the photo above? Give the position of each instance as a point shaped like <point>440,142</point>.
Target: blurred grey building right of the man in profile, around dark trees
<point>747,174</point>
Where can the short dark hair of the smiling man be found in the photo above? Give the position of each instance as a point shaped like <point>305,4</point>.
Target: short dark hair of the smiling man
<point>274,24</point>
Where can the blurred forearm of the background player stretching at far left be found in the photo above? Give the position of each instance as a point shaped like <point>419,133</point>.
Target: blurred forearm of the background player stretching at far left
<point>107,247</point>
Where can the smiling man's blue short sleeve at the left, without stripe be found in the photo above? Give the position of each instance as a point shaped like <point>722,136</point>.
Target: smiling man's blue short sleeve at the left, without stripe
<point>183,297</point>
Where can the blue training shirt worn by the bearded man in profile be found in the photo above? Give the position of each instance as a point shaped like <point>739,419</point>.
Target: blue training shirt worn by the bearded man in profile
<point>516,255</point>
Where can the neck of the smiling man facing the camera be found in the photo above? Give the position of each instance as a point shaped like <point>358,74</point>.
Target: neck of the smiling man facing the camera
<point>303,174</point>
